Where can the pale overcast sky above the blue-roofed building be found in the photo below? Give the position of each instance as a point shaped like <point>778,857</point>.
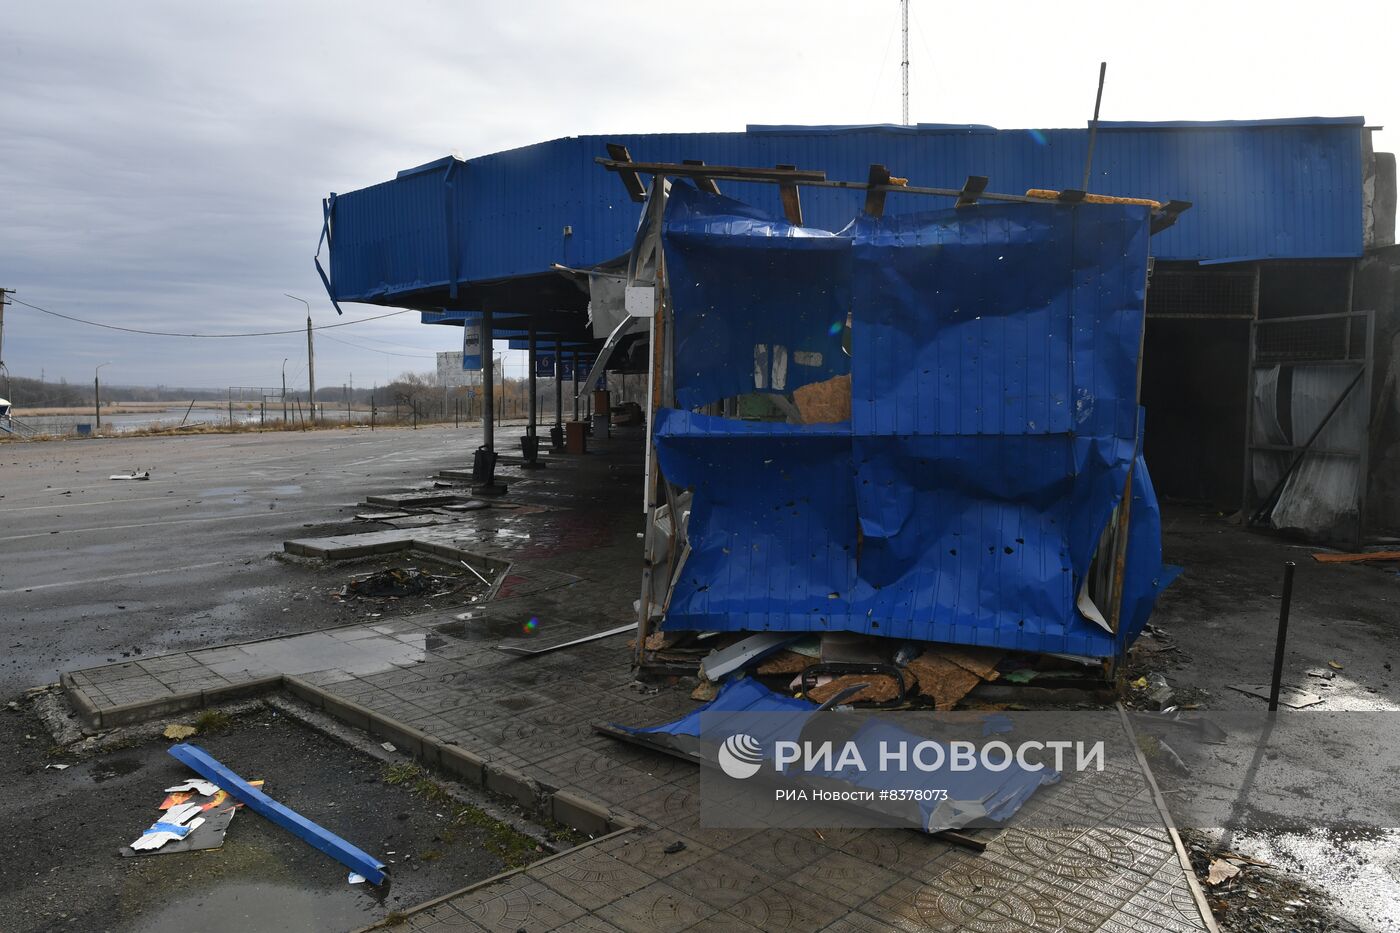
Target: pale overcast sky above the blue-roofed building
<point>163,165</point>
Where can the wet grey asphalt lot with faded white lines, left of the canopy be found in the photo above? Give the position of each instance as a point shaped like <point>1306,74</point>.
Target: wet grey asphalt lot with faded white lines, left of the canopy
<point>96,571</point>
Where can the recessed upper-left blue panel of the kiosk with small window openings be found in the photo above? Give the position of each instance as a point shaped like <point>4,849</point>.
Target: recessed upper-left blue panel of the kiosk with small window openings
<point>762,302</point>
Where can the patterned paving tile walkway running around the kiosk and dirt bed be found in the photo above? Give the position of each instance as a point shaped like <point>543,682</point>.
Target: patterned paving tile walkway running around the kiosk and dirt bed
<point>573,567</point>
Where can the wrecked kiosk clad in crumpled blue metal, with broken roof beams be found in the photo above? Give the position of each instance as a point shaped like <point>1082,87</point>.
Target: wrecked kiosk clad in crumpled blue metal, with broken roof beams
<point>920,428</point>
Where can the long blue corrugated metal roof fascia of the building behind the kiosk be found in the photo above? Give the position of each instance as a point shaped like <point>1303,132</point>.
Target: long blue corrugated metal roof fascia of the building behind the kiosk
<point>1268,190</point>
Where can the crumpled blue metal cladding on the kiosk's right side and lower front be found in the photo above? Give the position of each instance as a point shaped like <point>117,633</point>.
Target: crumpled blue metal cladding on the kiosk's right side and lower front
<point>995,378</point>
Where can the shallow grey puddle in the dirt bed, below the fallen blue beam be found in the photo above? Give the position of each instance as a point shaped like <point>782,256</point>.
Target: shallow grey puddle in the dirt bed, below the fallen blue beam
<point>269,908</point>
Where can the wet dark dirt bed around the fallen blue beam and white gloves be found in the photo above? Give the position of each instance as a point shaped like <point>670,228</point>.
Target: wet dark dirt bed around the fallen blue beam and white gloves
<point>61,833</point>
